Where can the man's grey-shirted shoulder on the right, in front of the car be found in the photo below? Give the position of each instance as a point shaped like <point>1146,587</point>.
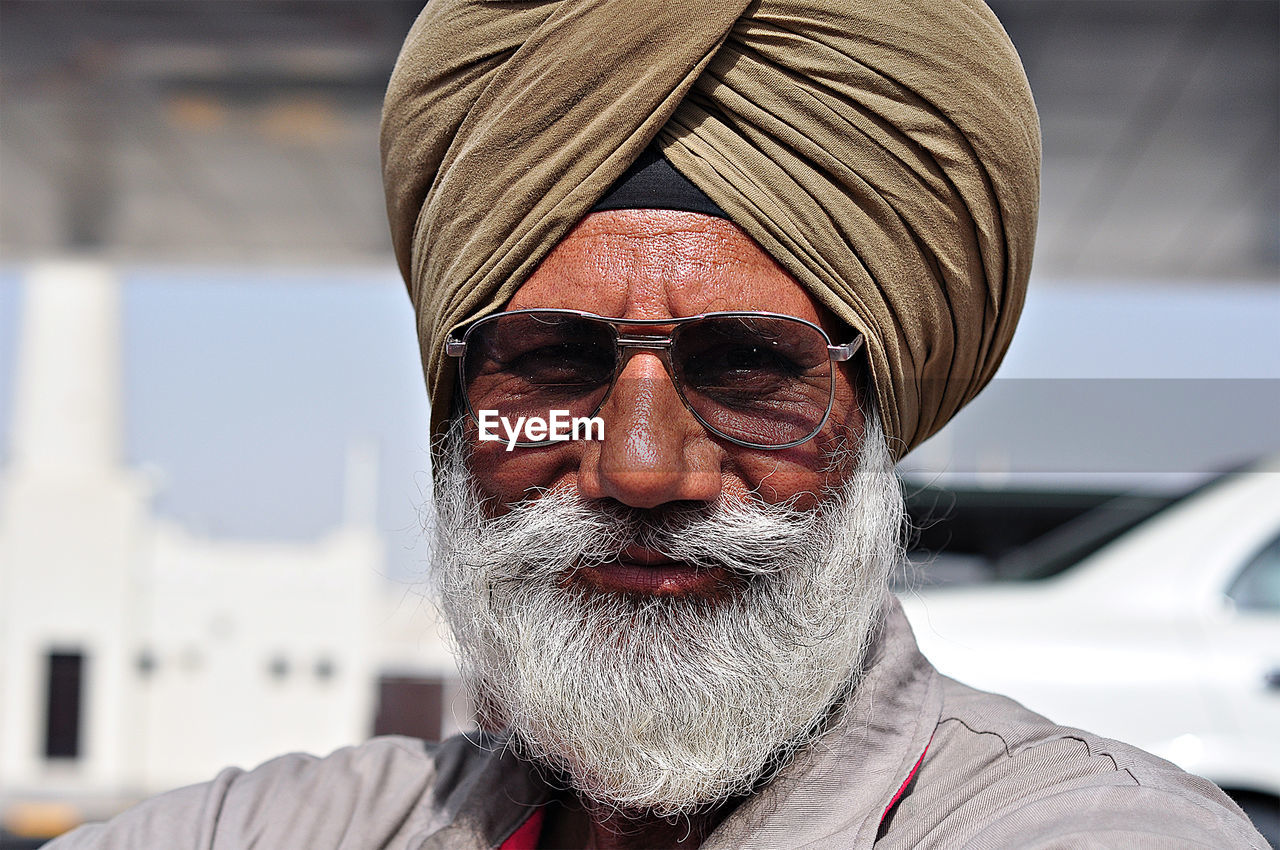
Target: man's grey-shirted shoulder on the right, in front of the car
<point>998,775</point>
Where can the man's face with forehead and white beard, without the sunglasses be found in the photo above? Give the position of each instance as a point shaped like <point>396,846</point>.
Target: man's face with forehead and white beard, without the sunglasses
<point>664,615</point>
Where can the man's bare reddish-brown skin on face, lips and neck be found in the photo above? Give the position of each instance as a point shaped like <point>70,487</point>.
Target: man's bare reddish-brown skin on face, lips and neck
<point>660,264</point>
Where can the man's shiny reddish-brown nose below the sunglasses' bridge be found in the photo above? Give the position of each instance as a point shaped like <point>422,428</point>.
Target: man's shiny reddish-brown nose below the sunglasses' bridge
<point>653,450</point>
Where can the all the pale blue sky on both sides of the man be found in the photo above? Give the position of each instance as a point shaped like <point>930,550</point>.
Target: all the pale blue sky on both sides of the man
<point>245,389</point>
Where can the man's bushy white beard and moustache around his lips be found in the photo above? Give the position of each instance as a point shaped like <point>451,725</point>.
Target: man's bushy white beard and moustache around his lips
<point>666,705</point>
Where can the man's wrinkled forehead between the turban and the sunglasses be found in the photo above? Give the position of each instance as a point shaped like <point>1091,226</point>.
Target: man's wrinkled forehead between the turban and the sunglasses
<point>657,264</point>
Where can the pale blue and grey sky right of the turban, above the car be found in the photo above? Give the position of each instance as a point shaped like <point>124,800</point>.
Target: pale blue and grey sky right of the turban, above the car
<point>1113,386</point>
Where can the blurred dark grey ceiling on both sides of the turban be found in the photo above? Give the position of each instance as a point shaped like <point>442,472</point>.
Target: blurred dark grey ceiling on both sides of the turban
<point>246,131</point>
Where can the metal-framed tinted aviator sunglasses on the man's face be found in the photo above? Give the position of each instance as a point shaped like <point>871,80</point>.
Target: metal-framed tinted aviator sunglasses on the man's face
<point>757,380</point>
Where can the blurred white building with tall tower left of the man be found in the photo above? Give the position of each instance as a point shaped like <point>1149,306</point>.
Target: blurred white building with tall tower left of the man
<point>138,656</point>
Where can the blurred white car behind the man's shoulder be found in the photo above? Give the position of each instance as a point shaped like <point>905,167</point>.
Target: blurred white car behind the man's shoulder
<point>1167,638</point>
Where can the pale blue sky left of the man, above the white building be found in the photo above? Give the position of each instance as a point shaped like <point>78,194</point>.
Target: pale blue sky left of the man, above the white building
<point>244,391</point>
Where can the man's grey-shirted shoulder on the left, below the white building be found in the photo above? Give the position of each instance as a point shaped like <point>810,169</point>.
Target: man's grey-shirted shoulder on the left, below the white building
<point>387,790</point>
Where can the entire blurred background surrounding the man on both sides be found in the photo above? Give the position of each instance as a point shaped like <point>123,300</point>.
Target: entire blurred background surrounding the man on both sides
<point>213,428</point>
